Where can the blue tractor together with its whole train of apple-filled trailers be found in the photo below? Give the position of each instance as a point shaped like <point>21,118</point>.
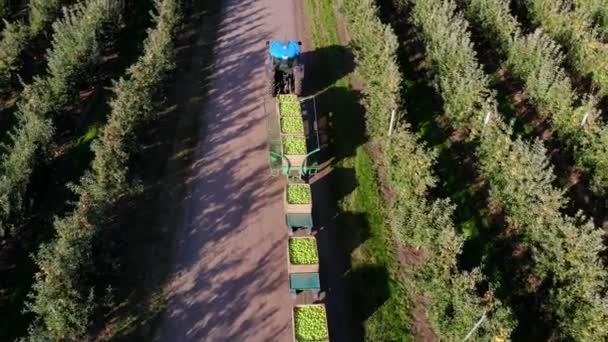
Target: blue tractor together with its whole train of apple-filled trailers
<point>293,151</point>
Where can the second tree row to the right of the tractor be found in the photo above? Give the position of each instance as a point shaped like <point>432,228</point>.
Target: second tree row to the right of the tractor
<point>564,251</point>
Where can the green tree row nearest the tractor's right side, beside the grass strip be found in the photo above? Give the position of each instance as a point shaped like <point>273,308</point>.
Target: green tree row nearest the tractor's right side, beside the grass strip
<point>454,303</point>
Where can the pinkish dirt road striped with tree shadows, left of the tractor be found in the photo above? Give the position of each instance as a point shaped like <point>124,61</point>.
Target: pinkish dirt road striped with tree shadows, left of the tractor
<point>229,279</point>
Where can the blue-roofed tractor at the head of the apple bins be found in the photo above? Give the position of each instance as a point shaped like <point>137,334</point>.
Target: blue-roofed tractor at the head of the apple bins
<point>284,71</point>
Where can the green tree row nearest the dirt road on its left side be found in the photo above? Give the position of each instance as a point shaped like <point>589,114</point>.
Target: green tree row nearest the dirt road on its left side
<point>59,300</point>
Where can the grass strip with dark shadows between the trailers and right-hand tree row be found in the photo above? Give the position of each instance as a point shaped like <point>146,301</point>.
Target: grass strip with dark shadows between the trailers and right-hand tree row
<point>380,303</point>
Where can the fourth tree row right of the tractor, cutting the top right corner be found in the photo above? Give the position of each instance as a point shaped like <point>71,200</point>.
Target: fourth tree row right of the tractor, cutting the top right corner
<point>573,30</point>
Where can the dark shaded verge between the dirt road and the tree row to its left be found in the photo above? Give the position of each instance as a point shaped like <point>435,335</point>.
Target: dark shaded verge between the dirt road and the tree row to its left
<point>137,261</point>
